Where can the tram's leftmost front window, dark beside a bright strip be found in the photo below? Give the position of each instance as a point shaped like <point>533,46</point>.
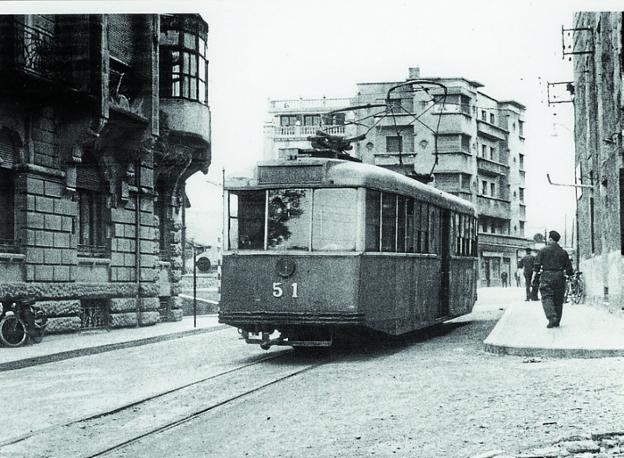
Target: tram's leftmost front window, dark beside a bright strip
<point>246,230</point>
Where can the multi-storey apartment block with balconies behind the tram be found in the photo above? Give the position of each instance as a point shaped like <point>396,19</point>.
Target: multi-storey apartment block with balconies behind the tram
<point>472,145</point>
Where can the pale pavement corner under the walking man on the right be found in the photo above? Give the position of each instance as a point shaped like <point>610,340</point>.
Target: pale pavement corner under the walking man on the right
<point>585,332</point>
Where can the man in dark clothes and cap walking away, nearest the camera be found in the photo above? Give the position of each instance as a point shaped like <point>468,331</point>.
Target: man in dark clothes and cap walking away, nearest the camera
<point>552,261</point>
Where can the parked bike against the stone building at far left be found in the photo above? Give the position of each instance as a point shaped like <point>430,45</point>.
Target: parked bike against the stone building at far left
<point>20,321</point>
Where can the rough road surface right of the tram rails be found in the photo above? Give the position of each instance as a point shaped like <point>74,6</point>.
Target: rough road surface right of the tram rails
<point>442,396</point>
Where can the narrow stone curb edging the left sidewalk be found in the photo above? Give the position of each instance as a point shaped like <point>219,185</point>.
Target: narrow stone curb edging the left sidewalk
<point>87,351</point>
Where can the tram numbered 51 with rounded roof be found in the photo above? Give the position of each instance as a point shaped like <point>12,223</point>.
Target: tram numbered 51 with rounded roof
<point>317,246</point>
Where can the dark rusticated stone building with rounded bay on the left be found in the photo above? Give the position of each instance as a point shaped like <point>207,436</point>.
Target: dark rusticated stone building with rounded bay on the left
<point>102,119</point>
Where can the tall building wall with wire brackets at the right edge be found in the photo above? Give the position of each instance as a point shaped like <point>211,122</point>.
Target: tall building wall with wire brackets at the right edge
<point>598,104</point>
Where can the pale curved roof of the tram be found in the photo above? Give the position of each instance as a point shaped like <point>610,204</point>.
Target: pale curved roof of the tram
<point>341,173</point>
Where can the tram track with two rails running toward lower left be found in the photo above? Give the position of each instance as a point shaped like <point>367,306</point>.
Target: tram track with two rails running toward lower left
<point>49,441</point>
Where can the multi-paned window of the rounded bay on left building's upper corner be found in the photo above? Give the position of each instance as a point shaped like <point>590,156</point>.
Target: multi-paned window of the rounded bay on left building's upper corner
<point>183,60</point>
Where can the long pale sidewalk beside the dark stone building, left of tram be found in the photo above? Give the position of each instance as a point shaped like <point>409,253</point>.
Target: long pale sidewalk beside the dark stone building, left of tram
<point>65,346</point>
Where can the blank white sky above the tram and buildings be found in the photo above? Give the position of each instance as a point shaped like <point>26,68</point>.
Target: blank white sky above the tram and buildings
<point>278,49</point>
